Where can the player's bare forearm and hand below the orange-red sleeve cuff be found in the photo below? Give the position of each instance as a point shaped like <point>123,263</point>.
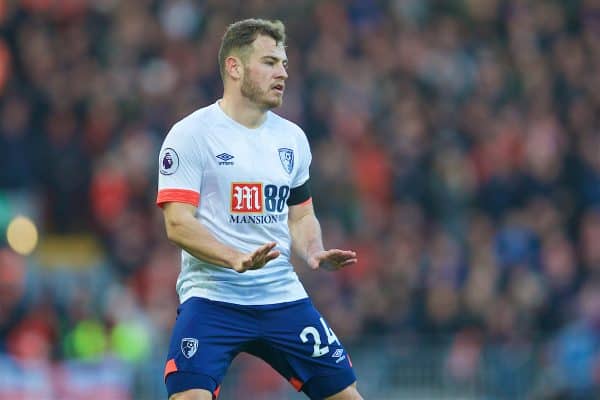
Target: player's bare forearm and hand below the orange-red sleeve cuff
<point>187,232</point>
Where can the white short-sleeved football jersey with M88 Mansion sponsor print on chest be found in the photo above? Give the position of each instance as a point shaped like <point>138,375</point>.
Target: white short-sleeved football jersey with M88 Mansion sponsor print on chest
<point>240,179</point>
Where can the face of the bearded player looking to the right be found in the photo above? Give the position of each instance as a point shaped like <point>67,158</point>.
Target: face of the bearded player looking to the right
<point>265,73</point>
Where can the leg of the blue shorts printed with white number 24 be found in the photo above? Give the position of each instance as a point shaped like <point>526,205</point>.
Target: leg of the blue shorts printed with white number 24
<point>302,347</point>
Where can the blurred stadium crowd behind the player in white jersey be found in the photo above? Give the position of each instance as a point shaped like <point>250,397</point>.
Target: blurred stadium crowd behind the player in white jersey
<point>456,147</point>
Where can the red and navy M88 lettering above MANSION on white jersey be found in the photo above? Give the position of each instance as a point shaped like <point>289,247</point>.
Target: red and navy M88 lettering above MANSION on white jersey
<point>256,198</point>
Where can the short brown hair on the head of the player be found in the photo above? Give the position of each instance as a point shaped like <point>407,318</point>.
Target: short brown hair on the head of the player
<point>240,35</point>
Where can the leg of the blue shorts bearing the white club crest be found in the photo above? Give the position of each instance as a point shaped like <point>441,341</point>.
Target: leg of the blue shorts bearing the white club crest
<point>206,337</point>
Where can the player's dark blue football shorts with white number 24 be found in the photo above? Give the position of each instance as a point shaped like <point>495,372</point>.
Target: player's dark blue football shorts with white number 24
<point>292,337</point>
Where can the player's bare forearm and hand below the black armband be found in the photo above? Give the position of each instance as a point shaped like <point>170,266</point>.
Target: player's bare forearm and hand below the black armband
<point>307,241</point>
